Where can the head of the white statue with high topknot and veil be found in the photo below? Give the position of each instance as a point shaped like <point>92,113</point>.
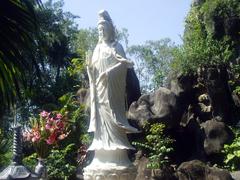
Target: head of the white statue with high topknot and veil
<point>106,29</point>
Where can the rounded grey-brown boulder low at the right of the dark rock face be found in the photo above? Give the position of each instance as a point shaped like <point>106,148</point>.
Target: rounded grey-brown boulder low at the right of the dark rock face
<point>216,135</point>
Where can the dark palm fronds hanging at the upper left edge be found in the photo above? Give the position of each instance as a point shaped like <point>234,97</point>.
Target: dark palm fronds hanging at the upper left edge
<point>18,25</point>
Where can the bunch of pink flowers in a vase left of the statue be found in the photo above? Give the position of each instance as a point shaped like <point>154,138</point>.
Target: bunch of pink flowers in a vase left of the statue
<point>46,131</point>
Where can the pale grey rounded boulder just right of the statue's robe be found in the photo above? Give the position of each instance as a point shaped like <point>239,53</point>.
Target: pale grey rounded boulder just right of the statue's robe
<point>160,106</point>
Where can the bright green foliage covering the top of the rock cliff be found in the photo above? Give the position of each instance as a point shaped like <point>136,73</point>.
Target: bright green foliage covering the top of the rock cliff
<point>204,43</point>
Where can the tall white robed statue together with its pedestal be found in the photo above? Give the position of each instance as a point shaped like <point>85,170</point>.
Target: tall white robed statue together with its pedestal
<point>107,70</point>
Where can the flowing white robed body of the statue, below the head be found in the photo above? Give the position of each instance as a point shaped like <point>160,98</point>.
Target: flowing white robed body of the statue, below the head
<point>107,76</point>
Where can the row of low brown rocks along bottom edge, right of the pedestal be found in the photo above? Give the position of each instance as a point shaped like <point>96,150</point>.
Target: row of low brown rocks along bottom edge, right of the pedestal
<point>190,170</point>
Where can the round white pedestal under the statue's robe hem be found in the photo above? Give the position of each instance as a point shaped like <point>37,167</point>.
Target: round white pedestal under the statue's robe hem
<point>110,165</point>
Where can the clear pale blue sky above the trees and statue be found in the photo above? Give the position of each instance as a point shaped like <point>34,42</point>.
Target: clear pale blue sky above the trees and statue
<point>144,19</point>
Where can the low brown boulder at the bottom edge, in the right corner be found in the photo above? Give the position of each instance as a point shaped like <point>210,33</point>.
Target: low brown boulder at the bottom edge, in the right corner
<point>197,170</point>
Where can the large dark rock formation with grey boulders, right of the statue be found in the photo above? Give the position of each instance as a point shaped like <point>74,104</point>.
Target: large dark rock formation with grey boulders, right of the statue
<point>195,110</point>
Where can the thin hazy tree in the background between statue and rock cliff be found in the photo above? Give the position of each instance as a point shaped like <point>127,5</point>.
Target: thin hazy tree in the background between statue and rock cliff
<point>152,61</point>
